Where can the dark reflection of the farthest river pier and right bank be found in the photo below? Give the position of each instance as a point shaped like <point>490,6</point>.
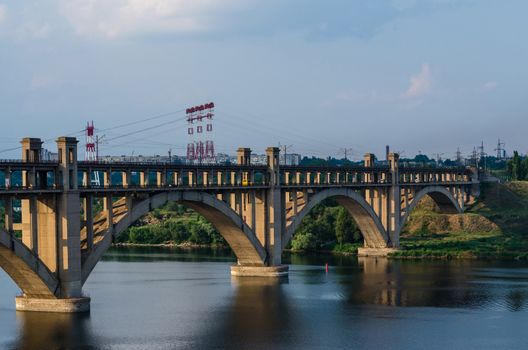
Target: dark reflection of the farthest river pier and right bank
<point>432,284</point>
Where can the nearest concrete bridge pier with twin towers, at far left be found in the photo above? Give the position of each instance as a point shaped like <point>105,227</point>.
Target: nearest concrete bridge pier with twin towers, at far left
<point>52,228</point>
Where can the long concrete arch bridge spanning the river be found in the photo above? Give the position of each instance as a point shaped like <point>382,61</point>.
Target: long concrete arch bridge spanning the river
<point>52,245</point>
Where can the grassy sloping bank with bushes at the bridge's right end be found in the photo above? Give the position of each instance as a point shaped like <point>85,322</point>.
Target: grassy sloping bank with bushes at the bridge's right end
<point>495,227</point>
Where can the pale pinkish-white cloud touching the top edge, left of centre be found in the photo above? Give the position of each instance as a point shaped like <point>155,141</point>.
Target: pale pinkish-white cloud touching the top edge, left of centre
<point>119,18</point>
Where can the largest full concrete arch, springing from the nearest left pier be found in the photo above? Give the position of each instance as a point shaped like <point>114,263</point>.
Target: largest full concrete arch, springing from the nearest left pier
<point>242,240</point>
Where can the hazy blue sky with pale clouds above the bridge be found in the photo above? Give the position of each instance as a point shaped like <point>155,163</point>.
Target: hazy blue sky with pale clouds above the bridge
<point>429,75</point>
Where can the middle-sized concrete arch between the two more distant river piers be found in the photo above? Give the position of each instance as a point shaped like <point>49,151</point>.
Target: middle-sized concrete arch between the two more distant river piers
<point>368,222</point>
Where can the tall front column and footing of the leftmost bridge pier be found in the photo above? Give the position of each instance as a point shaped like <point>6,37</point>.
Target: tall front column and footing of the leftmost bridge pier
<point>59,238</point>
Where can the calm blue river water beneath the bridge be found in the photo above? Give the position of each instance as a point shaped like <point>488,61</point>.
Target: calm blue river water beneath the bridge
<point>173,299</point>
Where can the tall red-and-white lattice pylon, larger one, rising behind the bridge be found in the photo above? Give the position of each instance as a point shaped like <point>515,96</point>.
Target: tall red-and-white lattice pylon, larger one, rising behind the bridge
<point>197,149</point>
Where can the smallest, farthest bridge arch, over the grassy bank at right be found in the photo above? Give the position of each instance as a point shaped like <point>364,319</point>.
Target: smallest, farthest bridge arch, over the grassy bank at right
<point>442,198</point>
